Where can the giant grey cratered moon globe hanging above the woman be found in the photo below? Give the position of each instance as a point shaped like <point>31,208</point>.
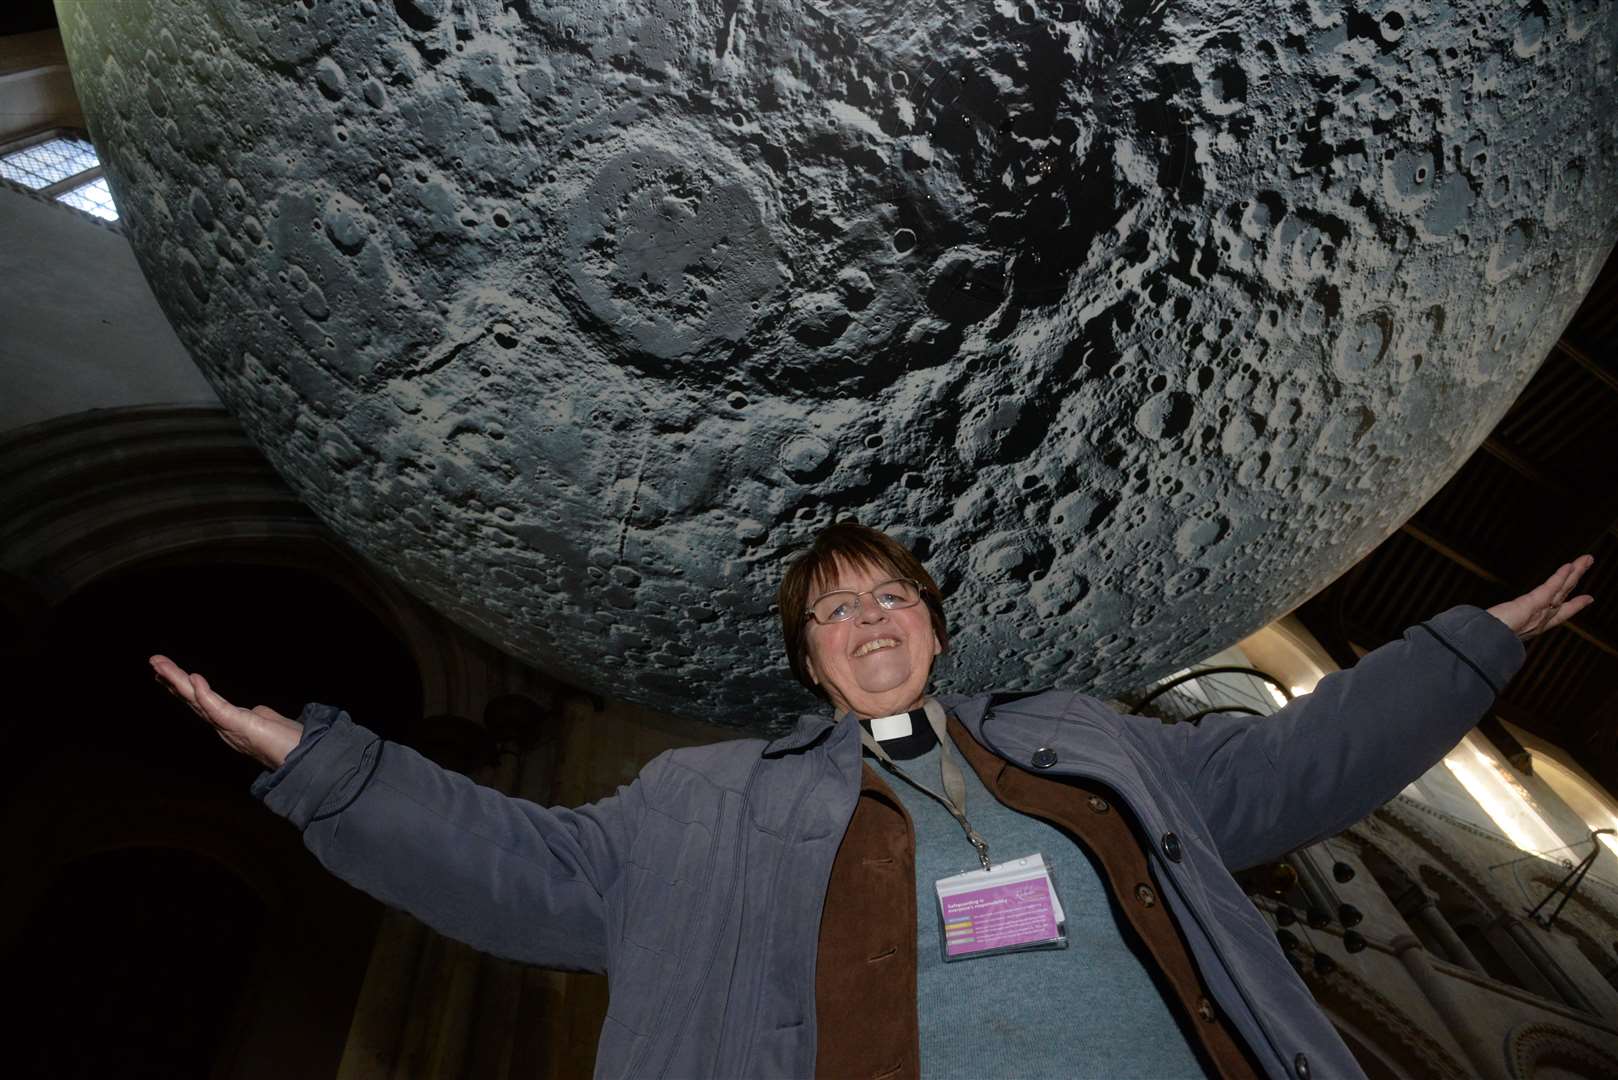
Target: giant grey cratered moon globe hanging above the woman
<point>1141,321</point>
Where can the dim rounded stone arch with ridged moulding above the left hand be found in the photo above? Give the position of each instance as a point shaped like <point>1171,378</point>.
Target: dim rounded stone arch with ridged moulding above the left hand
<point>70,516</point>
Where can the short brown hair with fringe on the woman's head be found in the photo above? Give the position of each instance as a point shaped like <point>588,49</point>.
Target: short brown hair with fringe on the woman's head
<point>847,545</point>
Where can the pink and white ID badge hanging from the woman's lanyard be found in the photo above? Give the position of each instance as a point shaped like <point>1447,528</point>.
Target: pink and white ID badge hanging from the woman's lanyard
<point>1010,908</point>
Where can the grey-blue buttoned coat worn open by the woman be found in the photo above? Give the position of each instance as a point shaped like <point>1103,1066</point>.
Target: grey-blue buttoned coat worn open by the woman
<point>698,888</point>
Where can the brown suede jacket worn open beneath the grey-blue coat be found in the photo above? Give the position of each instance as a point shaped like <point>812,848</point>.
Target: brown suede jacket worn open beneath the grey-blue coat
<point>866,959</point>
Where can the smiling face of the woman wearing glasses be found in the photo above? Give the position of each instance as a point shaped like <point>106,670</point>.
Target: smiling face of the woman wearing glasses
<point>876,663</point>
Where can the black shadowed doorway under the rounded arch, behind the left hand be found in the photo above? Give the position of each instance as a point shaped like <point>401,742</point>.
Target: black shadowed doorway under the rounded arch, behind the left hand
<point>133,940</point>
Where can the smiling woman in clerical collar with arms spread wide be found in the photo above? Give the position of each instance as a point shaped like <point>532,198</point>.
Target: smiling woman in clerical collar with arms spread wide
<point>777,909</point>
